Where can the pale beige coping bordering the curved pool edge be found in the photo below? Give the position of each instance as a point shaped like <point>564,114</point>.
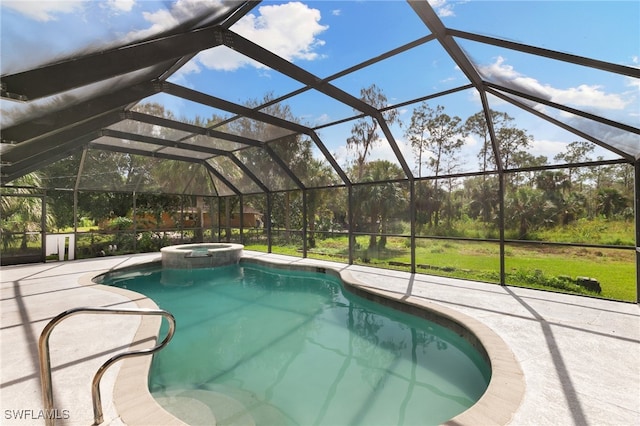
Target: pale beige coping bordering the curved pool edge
<point>136,406</point>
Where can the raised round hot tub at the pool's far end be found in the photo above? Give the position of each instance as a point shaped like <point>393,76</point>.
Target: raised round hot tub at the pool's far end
<point>202,255</point>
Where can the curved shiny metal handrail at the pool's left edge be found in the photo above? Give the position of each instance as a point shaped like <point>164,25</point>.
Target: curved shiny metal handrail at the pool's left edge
<point>45,362</point>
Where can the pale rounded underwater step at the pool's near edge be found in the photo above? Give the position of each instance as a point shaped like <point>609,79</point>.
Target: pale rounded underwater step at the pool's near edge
<point>204,407</point>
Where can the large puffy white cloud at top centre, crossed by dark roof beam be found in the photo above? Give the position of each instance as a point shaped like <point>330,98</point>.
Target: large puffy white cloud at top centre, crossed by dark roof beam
<point>288,30</point>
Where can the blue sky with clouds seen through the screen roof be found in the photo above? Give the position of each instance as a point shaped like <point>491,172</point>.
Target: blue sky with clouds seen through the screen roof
<point>325,37</point>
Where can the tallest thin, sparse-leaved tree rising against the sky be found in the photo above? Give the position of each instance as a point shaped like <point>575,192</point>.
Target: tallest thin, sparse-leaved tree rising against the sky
<point>364,133</point>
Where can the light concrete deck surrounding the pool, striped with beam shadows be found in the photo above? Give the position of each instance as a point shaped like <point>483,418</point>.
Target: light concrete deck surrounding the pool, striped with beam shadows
<point>580,356</point>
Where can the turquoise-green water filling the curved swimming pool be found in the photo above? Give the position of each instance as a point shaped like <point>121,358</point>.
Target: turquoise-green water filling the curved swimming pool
<point>265,346</point>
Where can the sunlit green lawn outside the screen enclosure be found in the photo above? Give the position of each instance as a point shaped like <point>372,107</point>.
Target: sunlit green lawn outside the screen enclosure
<point>544,267</point>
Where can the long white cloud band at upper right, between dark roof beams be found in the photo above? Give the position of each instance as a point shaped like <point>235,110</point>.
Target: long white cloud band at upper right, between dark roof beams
<point>583,95</point>
